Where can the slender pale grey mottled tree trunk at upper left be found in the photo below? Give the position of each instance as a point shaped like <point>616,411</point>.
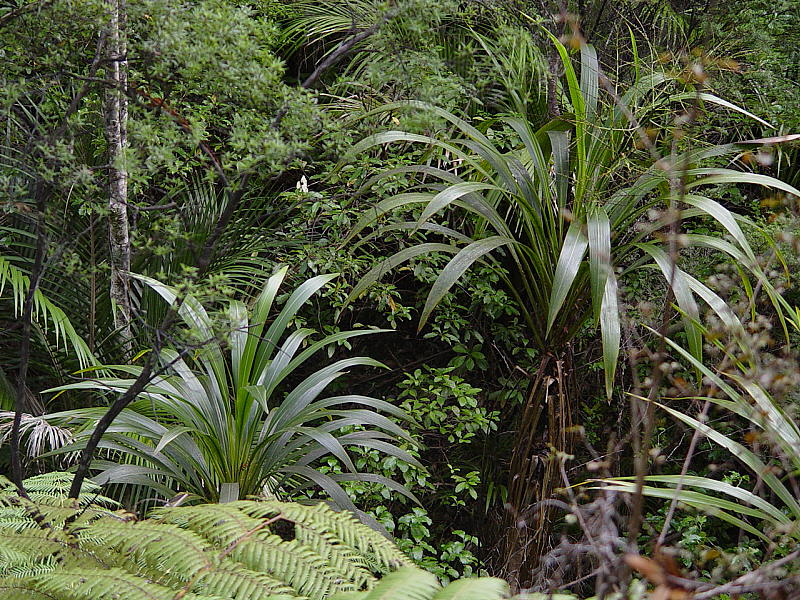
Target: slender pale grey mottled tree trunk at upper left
<point>116,118</point>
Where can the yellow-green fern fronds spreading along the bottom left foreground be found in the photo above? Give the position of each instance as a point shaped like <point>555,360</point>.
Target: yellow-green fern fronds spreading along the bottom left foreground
<point>58,548</point>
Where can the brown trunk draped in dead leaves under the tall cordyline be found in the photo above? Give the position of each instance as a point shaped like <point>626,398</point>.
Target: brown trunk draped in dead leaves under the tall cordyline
<point>545,429</point>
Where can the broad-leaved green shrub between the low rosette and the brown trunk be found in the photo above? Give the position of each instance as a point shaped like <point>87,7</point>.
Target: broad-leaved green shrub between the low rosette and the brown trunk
<point>447,426</point>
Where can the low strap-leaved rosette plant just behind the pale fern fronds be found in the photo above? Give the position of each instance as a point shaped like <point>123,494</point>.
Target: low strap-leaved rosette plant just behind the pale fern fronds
<point>217,423</point>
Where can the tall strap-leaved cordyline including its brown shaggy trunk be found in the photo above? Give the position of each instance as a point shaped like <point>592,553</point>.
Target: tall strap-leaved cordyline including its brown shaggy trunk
<point>566,211</point>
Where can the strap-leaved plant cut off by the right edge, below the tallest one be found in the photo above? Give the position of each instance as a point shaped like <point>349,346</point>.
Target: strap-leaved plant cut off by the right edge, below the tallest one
<point>769,449</point>
